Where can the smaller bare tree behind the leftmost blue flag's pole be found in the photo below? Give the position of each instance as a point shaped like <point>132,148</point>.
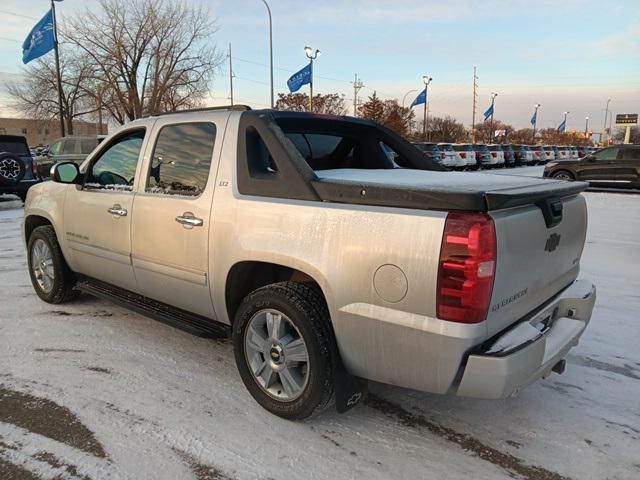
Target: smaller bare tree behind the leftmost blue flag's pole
<point>37,95</point>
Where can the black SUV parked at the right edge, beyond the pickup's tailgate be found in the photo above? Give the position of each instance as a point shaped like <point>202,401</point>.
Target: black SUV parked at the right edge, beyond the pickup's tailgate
<point>616,166</point>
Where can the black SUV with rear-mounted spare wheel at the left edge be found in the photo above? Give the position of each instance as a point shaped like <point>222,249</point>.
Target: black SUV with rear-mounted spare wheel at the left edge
<point>18,170</point>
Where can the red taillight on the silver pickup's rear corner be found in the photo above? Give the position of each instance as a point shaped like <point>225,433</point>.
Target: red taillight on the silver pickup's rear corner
<point>466,268</point>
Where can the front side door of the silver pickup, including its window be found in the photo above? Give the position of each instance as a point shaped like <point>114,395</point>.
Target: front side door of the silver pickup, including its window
<point>98,214</point>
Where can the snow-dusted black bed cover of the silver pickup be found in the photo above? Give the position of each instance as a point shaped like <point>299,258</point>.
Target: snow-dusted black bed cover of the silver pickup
<point>482,193</point>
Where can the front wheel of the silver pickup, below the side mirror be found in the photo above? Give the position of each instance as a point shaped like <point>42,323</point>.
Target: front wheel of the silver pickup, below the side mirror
<point>50,275</point>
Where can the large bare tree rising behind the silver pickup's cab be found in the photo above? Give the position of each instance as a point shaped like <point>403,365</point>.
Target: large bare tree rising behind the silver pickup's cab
<point>148,56</point>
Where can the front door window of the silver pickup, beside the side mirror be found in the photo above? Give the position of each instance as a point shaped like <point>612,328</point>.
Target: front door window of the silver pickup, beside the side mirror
<point>115,168</point>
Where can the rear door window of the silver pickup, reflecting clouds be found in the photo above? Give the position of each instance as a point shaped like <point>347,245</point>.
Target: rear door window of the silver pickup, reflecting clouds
<point>181,159</point>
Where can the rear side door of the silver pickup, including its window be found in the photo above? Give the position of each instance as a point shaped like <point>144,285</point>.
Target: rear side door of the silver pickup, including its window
<point>170,230</point>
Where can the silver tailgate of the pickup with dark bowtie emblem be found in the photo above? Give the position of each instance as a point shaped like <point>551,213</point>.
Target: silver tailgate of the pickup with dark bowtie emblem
<point>536,257</point>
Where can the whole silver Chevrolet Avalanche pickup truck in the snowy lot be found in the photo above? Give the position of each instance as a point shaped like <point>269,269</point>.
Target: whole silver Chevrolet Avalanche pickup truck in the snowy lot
<point>333,250</point>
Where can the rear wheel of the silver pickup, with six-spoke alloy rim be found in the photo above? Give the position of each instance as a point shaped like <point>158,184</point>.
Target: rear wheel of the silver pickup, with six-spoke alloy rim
<point>304,312</point>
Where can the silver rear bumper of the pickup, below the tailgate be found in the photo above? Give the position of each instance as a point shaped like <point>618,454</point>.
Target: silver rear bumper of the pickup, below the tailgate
<point>529,351</point>
